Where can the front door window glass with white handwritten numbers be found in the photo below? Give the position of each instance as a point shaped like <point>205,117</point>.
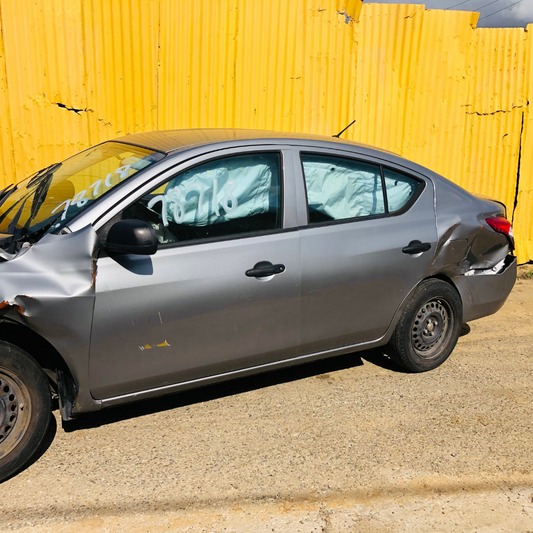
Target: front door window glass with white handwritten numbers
<point>223,197</point>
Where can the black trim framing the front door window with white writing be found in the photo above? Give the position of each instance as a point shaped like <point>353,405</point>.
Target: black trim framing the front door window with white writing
<point>235,236</point>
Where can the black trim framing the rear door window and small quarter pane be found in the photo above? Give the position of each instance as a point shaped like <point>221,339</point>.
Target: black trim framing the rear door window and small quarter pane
<point>387,214</point>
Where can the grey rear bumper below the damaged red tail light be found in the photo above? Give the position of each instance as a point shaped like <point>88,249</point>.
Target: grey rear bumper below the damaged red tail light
<point>483,295</point>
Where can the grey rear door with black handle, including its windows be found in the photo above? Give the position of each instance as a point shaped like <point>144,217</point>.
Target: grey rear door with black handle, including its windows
<point>357,265</point>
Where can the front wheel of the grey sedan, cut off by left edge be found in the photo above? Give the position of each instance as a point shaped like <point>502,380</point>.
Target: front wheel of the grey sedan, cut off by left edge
<point>25,409</point>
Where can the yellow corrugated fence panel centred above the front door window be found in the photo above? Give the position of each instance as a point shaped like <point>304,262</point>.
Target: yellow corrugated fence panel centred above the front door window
<point>197,64</point>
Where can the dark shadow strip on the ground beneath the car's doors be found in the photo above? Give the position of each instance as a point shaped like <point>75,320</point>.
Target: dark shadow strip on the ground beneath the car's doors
<point>230,388</point>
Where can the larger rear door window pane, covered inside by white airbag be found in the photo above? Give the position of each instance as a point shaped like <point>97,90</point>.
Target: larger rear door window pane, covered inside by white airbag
<point>339,188</point>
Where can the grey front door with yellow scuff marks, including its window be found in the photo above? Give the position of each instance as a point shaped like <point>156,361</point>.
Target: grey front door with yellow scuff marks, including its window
<point>204,303</point>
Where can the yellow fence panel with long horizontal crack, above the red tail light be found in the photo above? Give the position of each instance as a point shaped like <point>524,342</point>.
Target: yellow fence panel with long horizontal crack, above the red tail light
<point>495,109</point>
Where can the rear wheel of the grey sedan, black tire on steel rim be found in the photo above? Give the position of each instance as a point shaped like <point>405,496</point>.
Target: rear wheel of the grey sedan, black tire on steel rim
<point>429,327</point>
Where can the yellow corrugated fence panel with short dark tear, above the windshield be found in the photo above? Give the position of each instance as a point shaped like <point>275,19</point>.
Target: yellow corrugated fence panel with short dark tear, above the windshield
<point>45,75</point>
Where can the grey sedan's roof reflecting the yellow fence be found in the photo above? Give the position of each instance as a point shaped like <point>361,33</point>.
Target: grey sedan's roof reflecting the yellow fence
<point>178,140</point>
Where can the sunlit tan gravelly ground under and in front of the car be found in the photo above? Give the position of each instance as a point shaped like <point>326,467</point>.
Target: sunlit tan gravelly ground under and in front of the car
<point>347,445</point>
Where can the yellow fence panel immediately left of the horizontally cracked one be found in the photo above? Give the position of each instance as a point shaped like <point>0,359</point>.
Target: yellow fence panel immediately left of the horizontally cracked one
<point>436,134</point>
